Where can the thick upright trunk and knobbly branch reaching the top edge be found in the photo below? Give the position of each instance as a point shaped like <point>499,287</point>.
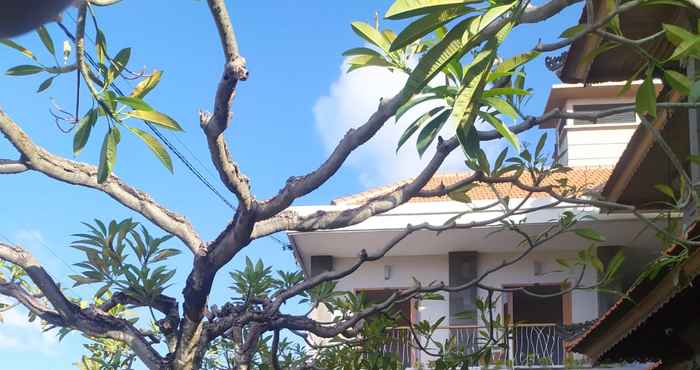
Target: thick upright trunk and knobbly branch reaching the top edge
<point>201,278</point>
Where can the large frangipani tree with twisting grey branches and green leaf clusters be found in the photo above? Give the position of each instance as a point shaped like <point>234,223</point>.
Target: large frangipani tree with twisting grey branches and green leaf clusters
<point>450,40</point>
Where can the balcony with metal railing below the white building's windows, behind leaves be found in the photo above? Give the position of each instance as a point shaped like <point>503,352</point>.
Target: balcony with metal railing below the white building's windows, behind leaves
<point>522,346</point>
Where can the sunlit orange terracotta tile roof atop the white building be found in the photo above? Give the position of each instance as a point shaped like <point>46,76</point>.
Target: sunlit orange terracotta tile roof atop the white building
<point>588,178</point>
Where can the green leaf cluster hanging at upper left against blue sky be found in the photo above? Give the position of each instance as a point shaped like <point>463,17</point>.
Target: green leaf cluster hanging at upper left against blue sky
<point>109,104</point>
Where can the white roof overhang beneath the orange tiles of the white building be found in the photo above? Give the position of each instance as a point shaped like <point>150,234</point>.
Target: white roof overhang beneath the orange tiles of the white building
<point>377,231</point>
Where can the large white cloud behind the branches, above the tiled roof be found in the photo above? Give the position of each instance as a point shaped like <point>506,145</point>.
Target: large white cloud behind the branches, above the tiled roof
<point>352,99</point>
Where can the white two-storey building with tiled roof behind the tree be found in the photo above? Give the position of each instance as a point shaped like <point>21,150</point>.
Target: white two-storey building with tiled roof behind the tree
<point>458,256</point>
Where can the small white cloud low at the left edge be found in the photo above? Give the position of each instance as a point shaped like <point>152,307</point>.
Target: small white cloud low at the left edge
<point>18,334</point>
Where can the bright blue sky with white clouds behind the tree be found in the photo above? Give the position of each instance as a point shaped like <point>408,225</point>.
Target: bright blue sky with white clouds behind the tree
<point>286,118</point>
